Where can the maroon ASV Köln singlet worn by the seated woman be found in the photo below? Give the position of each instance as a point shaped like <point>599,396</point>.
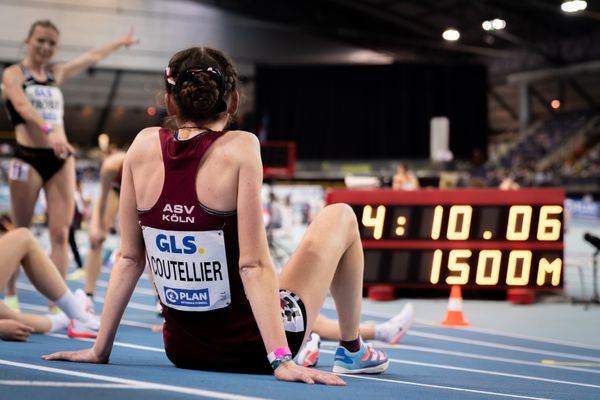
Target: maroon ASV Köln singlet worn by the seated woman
<point>223,339</point>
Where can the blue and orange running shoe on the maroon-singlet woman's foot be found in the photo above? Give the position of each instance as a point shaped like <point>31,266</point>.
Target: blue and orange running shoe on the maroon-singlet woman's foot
<point>365,361</point>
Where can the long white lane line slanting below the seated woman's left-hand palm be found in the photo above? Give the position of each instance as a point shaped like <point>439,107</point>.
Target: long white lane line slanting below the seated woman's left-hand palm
<point>132,382</point>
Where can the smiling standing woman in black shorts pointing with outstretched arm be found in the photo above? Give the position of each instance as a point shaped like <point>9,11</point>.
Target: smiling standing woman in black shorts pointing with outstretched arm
<point>43,155</point>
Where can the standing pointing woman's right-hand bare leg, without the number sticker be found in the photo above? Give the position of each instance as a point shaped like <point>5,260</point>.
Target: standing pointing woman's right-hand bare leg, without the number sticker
<point>60,199</point>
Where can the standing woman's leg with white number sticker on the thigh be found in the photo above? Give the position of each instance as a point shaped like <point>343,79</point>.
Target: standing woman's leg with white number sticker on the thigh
<point>25,184</point>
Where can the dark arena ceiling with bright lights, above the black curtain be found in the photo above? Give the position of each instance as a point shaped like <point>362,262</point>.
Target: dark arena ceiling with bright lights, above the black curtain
<point>538,34</point>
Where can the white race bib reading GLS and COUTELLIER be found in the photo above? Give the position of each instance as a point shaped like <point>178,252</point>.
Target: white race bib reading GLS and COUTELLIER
<point>189,268</point>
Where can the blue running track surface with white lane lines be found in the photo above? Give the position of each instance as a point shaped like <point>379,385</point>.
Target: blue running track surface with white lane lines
<point>431,363</point>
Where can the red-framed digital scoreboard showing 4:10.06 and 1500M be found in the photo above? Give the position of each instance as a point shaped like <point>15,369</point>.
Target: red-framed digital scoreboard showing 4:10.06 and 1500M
<point>477,238</point>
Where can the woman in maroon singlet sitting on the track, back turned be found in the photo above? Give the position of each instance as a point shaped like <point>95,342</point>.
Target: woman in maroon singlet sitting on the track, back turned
<point>199,220</point>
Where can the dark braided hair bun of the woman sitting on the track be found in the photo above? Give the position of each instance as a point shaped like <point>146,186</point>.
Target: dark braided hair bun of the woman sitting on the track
<point>202,80</point>
